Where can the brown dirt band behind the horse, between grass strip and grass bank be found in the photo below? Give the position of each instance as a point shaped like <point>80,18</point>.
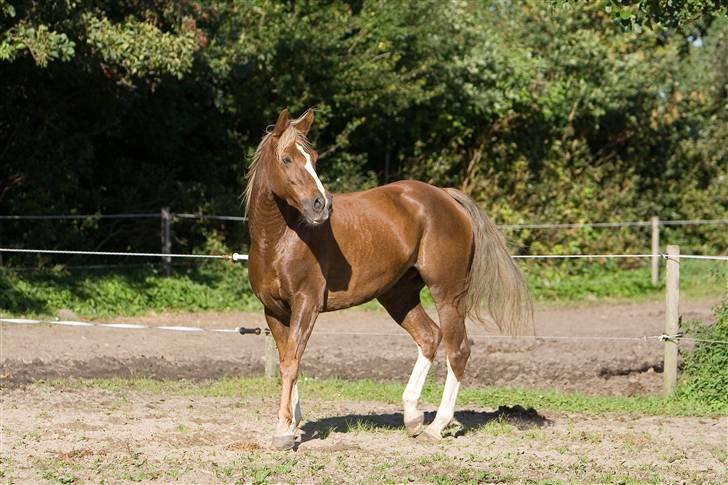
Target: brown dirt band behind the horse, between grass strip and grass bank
<point>337,348</point>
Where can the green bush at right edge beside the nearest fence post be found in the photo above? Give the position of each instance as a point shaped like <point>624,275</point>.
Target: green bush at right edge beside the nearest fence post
<point>704,375</point>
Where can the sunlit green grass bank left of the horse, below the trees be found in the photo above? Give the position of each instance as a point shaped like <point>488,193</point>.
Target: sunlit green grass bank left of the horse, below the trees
<point>133,291</point>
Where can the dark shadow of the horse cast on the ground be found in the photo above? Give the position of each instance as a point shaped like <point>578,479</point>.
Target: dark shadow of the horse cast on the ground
<point>517,416</point>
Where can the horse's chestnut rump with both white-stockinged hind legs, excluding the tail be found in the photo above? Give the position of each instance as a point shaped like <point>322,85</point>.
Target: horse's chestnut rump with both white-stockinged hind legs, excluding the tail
<point>442,264</point>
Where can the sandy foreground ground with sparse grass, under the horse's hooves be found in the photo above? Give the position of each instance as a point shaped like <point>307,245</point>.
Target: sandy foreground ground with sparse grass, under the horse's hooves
<point>88,435</point>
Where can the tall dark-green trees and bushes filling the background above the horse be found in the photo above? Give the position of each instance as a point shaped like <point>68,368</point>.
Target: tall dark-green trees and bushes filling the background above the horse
<point>543,111</point>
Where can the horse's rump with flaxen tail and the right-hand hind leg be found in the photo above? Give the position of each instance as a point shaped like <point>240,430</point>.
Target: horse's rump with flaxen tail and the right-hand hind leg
<point>463,259</point>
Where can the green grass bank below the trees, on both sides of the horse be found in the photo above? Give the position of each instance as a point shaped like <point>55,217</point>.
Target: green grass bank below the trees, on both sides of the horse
<point>224,287</point>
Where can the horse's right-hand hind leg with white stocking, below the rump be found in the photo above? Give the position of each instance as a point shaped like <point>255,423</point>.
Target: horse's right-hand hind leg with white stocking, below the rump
<point>454,334</point>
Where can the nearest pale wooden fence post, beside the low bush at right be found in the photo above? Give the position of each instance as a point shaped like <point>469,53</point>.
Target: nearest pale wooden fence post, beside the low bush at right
<point>672,319</point>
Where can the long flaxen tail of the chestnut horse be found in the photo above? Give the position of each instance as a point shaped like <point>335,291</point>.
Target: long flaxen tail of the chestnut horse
<point>493,276</point>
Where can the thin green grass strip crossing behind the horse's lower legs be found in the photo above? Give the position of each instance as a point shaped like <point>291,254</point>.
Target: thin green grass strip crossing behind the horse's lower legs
<point>337,389</point>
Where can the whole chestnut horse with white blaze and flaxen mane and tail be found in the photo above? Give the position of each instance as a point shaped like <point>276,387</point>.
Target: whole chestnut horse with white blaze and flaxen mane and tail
<point>312,252</point>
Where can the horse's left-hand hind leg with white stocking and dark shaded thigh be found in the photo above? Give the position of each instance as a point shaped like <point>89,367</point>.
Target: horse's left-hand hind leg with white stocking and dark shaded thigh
<point>407,311</point>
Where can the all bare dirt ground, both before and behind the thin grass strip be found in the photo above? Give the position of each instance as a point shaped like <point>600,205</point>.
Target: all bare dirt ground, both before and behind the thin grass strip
<point>73,434</point>
